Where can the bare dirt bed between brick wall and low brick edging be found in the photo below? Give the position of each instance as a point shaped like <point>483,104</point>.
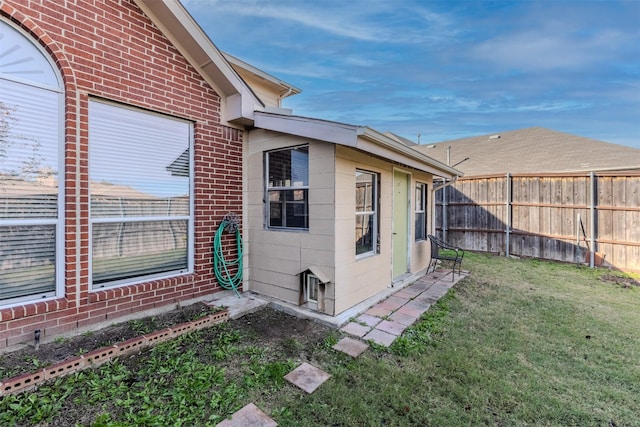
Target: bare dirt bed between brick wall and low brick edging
<point>28,359</point>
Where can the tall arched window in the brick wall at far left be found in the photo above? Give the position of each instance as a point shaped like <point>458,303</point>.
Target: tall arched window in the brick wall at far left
<point>31,214</point>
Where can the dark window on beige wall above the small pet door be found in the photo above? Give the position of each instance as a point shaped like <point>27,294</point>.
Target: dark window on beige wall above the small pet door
<point>287,189</point>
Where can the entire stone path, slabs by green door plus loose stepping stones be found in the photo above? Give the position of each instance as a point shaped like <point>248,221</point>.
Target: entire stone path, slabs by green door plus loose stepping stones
<point>382,324</point>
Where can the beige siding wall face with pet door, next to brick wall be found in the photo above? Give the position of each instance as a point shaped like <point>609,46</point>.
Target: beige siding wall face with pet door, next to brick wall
<point>276,257</point>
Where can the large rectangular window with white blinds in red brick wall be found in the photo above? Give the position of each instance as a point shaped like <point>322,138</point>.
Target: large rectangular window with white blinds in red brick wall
<point>141,195</point>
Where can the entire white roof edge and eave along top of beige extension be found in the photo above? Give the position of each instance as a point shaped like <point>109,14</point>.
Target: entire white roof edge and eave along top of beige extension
<point>359,137</point>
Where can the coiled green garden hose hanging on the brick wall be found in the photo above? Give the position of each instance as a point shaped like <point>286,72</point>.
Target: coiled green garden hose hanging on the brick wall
<point>221,266</point>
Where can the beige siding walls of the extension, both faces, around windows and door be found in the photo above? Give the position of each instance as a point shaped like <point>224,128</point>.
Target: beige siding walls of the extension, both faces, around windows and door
<point>273,258</point>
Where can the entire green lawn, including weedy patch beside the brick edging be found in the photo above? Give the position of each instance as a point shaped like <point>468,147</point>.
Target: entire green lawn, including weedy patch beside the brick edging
<point>518,342</point>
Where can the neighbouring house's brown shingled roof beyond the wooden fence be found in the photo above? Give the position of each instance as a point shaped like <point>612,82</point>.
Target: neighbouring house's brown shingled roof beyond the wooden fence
<point>532,150</point>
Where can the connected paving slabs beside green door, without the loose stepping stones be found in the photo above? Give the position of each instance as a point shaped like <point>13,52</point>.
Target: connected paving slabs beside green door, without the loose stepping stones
<point>385,321</point>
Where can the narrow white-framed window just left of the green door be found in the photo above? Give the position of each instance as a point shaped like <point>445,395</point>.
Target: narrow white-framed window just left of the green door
<point>366,212</point>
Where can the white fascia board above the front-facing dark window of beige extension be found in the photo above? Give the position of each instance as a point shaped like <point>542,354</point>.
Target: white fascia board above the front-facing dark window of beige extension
<point>337,133</point>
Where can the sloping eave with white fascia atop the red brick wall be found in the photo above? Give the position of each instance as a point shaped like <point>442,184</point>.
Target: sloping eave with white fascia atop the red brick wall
<point>239,101</point>
